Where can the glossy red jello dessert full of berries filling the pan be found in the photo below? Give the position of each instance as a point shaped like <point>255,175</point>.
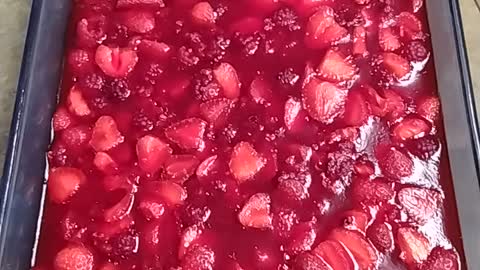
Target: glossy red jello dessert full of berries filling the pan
<point>248,134</point>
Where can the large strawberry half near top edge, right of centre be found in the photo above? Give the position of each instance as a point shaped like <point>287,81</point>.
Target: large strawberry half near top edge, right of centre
<point>322,29</point>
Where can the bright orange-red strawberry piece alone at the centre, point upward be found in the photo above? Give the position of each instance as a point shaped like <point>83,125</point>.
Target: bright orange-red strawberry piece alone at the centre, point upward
<point>245,162</point>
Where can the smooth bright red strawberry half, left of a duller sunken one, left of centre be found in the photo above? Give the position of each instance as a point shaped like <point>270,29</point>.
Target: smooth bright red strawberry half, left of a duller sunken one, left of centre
<point>152,153</point>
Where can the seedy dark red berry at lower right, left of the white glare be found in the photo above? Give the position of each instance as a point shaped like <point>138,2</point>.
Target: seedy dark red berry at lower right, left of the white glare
<point>372,191</point>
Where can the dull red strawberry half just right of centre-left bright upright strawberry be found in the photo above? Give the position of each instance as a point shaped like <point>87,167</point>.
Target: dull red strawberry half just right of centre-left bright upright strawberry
<point>179,168</point>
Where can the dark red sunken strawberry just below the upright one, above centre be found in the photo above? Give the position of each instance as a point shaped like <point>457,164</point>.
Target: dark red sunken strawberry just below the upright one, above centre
<point>216,111</point>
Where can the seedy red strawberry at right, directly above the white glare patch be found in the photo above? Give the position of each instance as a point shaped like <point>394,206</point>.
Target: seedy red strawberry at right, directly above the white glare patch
<point>393,162</point>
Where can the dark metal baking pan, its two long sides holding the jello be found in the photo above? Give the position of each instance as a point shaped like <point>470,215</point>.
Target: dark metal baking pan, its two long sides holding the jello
<point>23,181</point>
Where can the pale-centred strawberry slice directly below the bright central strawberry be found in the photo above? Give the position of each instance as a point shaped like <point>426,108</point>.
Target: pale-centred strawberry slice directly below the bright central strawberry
<point>256,212</point>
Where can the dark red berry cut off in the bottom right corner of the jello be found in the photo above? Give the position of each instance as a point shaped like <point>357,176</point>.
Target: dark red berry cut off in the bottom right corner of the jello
<point>441,258</point>
